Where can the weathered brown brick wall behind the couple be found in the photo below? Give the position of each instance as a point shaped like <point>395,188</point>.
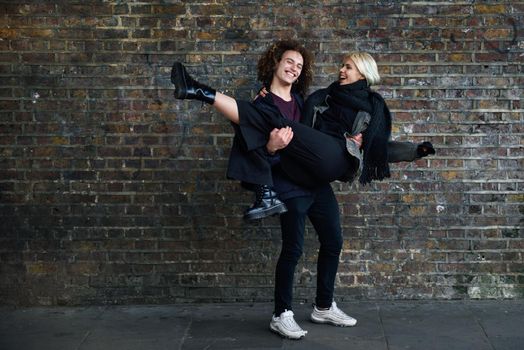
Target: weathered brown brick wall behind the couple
<point>113,192</point>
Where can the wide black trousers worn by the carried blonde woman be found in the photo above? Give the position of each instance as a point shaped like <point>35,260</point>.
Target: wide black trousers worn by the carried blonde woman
<point>311,158</point>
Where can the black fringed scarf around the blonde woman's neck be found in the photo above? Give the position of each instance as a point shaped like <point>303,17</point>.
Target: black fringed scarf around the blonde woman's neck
<point>375,139</point>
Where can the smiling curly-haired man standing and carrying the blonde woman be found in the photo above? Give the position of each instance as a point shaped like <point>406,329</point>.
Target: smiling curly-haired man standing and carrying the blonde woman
<point>319,204</point>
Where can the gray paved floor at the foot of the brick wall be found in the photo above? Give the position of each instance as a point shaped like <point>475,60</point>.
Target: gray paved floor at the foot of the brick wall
<point>423,325</point>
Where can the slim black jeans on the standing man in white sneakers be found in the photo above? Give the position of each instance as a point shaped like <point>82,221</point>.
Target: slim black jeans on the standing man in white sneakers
<point>322,210</point>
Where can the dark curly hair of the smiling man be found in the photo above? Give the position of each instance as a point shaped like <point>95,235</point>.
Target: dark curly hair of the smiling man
<point>269,60</point>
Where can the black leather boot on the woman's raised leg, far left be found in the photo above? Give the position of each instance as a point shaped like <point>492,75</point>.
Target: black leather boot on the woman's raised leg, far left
<point>188,88</point>
